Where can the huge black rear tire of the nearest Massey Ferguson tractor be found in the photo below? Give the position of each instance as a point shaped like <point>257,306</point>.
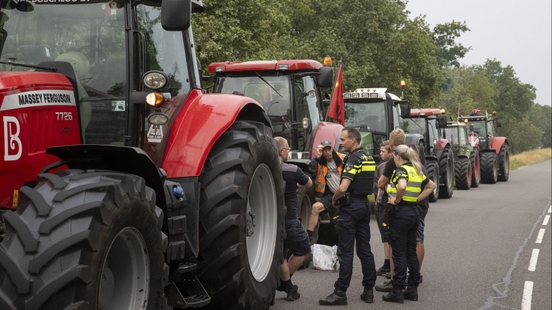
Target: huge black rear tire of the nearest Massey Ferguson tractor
<point>242,219</point>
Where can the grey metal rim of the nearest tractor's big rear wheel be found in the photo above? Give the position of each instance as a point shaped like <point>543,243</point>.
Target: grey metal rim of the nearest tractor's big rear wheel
<point>262,208</point>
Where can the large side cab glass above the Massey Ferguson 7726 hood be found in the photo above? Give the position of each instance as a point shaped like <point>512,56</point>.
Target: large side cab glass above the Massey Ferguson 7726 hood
<point>91,38</point>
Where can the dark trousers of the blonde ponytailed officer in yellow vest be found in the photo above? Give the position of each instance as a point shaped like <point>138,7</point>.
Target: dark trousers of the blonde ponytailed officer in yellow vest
<point>404,227</point>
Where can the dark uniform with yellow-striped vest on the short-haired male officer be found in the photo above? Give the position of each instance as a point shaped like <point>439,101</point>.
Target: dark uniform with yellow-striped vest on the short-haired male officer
<point>354,220</point>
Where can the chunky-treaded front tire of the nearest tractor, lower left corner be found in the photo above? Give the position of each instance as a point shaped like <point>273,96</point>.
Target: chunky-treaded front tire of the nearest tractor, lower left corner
<point>86,240</point>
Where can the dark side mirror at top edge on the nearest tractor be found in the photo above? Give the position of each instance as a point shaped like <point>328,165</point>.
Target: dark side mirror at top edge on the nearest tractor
<point>176,15</point>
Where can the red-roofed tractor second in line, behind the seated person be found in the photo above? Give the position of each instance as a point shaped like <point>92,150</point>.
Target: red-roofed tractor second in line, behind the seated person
<point>292,93</point>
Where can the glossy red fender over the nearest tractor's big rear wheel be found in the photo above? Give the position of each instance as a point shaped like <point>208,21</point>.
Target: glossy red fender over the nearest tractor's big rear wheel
<point>199,124</point>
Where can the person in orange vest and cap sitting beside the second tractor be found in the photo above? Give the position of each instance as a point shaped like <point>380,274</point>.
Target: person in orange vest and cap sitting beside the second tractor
<point>326,169</point>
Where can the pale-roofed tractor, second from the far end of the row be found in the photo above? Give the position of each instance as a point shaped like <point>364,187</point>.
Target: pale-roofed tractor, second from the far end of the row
<point>466,156</point>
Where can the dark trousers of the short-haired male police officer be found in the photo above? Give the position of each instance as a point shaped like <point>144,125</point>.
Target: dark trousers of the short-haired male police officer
<point>354,223</point>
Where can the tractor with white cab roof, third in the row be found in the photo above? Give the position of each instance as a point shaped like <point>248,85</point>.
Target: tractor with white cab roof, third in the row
<point>375,113</point>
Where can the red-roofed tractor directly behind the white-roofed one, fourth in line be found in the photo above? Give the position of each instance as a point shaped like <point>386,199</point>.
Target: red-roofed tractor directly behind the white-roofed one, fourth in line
<point>423,128</point>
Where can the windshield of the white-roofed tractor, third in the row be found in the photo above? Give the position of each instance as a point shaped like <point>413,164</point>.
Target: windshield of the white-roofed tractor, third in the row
<point>368,115</point>
